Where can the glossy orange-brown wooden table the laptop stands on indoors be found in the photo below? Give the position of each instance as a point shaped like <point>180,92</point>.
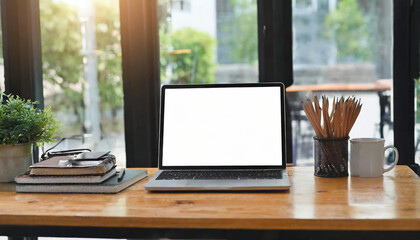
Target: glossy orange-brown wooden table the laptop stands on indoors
<point>351,204</point>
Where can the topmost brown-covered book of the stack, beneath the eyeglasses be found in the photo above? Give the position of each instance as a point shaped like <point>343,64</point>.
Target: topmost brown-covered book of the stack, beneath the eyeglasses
<point>64,165</point>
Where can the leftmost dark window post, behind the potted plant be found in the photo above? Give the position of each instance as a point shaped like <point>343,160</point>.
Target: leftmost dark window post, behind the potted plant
<point>21,36</point>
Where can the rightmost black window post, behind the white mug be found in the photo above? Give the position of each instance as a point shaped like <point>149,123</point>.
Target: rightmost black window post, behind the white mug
<point>406,68</point>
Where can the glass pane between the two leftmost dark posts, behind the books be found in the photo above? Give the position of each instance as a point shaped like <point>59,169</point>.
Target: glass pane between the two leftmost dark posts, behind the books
<point>81,55</point>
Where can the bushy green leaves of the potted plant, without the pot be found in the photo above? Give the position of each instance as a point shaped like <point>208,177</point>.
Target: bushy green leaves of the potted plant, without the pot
<point>21,122</point>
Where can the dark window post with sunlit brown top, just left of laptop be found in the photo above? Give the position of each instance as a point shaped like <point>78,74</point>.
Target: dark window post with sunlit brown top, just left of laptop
<point>141,81</point>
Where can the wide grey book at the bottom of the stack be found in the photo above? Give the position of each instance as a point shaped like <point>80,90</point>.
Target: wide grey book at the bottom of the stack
<point>112,185</point>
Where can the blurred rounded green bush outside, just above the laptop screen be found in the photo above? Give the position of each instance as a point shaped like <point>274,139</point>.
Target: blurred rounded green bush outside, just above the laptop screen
<point>186,56</point>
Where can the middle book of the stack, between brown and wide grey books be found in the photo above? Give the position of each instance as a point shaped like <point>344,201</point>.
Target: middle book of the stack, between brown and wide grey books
<point>39,179</point>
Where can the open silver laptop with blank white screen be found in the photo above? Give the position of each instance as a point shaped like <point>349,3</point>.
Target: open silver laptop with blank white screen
<point>216,137</point>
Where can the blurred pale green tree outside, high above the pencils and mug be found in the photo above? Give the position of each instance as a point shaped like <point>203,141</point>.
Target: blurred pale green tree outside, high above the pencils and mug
<point>349,28</point>
